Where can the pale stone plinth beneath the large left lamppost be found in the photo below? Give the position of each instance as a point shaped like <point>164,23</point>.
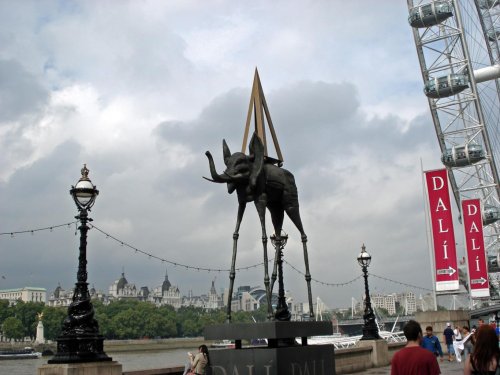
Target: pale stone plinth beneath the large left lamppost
<point>88,368</point>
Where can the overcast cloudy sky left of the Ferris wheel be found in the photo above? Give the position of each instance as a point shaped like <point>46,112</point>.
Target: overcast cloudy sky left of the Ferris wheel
<point>139,90</point>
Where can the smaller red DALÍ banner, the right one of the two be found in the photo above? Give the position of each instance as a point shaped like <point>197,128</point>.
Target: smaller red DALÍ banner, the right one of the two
<point>476,253</point>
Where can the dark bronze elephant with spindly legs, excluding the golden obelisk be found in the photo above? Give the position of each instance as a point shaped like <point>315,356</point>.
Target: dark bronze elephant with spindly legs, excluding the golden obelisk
<point>268,186</point>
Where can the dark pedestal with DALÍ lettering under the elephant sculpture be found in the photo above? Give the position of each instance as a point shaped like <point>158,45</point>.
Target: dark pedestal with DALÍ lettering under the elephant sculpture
<point>282,355</point>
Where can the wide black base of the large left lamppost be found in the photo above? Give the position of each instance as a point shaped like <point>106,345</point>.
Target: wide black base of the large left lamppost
<point>79,349</point>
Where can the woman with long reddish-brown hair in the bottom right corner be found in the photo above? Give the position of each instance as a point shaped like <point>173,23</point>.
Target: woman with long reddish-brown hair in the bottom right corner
<point>484,359</point>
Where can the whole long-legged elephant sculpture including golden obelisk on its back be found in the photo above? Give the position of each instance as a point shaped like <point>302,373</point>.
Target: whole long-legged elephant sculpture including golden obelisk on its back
<point>256,177</point>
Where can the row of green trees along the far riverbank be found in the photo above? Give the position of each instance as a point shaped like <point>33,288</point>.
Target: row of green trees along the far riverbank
<point>123,319</point>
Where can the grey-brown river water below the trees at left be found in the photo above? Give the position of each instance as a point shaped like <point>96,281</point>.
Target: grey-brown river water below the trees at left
<point>129,361</point>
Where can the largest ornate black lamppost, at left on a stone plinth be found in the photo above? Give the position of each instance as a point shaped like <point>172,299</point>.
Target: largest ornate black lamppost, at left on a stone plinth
<point>80,340</point>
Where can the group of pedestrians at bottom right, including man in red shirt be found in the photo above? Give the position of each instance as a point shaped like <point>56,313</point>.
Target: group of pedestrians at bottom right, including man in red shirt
<point>478,346</point>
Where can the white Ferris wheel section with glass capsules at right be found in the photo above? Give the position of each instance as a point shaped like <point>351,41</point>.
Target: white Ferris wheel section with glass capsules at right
<point>457,45</point>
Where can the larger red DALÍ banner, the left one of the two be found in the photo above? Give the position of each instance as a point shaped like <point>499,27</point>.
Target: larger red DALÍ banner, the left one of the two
<point>443,235</point>
